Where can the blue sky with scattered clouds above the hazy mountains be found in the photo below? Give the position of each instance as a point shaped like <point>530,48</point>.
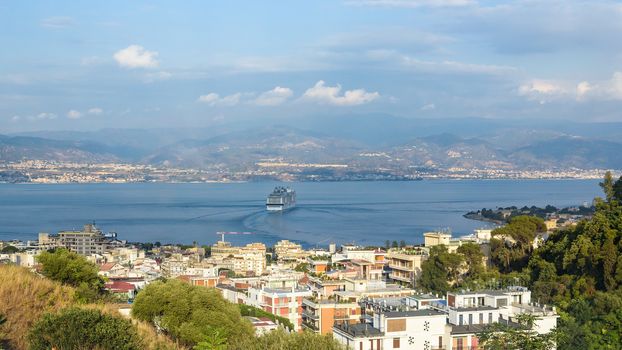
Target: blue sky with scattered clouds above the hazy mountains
<point>76,65</point>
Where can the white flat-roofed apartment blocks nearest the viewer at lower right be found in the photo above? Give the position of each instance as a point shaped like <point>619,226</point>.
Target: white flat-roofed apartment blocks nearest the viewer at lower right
<point>451,324</point>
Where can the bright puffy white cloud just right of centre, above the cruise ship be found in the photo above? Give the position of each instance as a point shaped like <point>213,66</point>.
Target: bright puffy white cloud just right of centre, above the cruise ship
<point>331,95</point>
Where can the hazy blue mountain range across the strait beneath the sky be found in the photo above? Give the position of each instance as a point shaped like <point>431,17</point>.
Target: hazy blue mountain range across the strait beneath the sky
<point>363,141</point>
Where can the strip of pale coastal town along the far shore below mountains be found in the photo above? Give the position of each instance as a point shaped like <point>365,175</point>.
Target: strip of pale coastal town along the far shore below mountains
<point>51,172</point>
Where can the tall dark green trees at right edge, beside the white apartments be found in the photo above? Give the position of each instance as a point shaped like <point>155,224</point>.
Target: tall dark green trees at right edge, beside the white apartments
<point>580,270</point>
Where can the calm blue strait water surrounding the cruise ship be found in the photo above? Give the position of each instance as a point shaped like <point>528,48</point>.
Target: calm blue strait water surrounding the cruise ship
<point>360,212</point>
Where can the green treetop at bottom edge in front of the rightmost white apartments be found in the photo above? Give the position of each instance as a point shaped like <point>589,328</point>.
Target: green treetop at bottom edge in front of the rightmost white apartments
<point>503,336</point>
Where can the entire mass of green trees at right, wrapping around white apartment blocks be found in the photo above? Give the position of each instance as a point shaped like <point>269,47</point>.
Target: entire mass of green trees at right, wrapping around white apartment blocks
<point>578,269</point>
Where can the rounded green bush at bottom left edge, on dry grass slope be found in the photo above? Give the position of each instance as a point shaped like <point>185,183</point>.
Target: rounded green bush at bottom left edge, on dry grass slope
<point>76,328</point>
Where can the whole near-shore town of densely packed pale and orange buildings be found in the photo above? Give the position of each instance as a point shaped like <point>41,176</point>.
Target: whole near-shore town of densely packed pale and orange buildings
<point>365,297</point>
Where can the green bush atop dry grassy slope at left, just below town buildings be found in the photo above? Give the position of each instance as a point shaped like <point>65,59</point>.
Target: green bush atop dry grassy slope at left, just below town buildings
<point>73,269</point>
